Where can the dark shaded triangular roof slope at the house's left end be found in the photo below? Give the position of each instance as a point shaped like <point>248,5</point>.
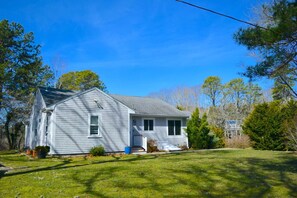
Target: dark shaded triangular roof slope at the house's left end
<point>52,96</point>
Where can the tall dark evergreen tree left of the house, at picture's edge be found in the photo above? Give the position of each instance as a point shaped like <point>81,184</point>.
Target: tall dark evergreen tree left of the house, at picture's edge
<point>21,71</point>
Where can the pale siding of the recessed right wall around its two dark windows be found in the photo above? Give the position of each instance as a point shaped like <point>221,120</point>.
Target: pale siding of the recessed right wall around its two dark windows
<point>160,130</point>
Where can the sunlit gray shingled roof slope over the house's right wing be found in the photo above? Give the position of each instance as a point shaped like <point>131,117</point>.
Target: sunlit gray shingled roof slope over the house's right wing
<point>150,106</point>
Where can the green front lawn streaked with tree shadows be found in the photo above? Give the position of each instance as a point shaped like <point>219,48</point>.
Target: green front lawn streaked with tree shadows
<point>215,173</point>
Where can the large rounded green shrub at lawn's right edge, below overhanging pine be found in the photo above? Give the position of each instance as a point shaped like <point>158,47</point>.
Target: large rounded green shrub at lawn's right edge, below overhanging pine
<point>266,125</point>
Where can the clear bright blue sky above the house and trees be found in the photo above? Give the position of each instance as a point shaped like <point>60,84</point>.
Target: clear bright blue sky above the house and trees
<point>138,46</point>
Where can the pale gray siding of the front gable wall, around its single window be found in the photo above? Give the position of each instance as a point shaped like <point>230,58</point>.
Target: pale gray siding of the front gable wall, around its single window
<point>70,124</point>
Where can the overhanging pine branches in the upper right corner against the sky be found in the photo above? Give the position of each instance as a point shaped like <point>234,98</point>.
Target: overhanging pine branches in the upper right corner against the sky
<point>276,43</point>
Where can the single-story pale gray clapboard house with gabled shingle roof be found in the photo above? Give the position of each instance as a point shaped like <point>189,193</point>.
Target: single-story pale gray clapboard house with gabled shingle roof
<point>73,122</point>
